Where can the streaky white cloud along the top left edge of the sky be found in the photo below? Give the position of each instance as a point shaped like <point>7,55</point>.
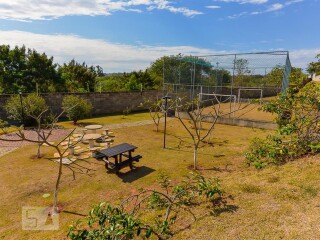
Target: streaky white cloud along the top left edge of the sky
<point>29,10</point>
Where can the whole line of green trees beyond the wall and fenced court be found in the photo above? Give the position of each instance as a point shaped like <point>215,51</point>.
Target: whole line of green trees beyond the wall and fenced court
<point>27,70</point>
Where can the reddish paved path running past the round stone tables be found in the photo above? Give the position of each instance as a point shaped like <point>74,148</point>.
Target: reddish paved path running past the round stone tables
<point>6,147</point>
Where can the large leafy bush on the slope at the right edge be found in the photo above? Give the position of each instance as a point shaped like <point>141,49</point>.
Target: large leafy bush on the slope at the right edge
<point>298,130</point>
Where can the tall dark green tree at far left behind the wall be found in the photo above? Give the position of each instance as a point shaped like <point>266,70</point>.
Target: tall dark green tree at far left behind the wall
<point>27,70</point>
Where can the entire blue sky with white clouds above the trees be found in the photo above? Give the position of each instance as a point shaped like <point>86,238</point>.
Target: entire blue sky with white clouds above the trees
<point>129,34</point>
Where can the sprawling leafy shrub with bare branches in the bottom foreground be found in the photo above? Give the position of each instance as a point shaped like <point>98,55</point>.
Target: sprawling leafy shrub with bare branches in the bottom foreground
<point>126,221</point>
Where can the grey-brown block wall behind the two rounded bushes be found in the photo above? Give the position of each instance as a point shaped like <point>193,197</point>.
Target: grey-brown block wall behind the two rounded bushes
<point>103,103</point>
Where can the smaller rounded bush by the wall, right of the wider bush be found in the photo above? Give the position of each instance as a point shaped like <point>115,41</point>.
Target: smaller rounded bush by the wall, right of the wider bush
<point>76,108</point>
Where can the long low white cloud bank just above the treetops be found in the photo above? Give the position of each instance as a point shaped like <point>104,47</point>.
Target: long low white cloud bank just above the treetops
<point>115,57</point>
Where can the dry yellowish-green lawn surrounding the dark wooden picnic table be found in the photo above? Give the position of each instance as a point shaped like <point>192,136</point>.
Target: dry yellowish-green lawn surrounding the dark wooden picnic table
<point>275,203</point>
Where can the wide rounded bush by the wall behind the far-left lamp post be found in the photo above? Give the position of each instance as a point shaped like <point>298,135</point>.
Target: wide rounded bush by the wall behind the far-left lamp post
<point>32,105</point>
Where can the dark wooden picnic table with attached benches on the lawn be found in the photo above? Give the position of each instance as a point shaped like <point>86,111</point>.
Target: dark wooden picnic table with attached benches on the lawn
<point>117,153</point>
